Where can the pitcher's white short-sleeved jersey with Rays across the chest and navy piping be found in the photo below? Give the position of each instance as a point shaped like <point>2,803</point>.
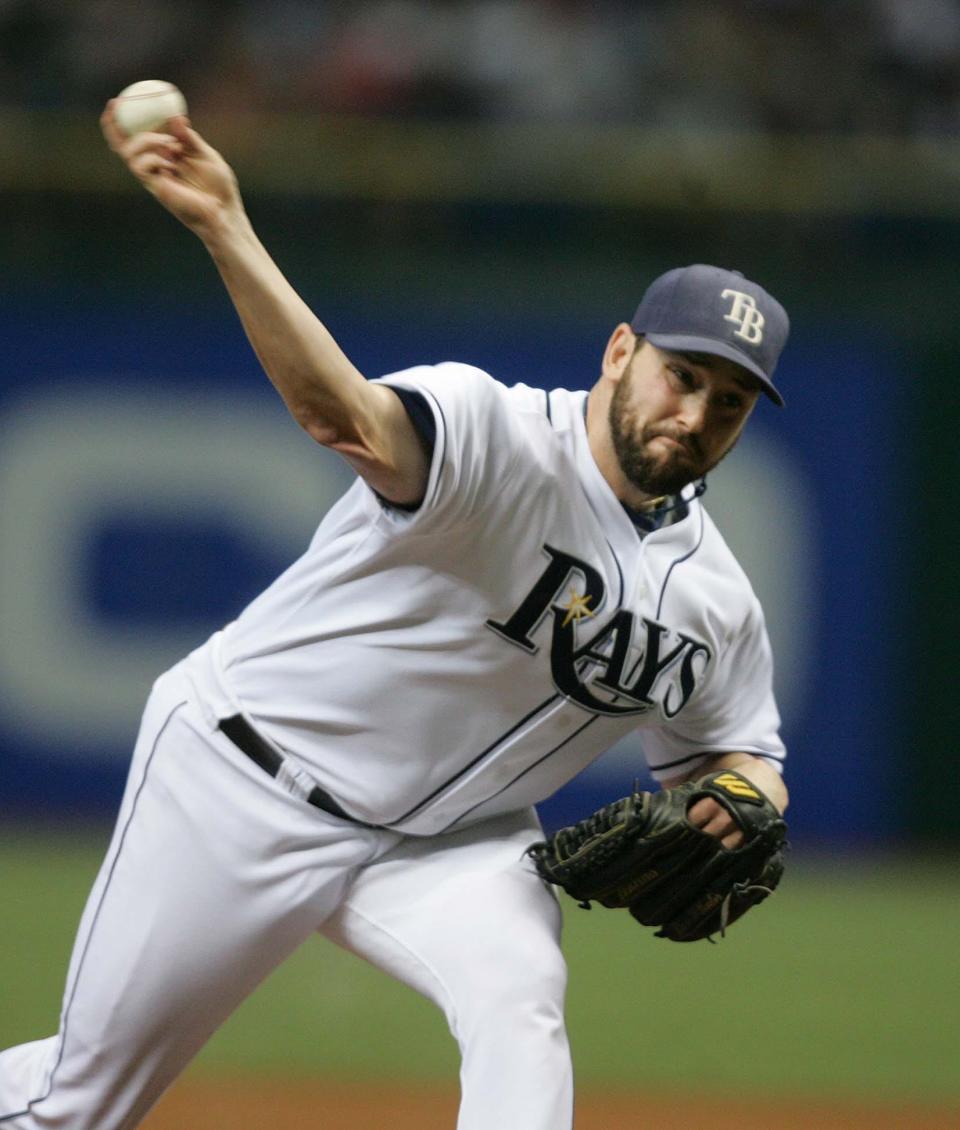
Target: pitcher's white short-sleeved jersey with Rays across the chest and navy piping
<point>437,667</point>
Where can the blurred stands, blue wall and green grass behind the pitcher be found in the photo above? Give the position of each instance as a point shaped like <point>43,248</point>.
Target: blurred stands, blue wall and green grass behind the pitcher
<point>496,181</point>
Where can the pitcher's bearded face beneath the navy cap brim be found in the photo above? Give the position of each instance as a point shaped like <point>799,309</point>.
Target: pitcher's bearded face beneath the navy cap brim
<point>675,416</point>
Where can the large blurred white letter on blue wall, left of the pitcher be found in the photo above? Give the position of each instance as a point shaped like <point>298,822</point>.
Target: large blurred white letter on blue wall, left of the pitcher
<point>69,457</point>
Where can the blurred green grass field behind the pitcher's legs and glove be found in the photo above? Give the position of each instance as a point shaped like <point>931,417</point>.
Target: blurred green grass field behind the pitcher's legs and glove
<point>843,986</point>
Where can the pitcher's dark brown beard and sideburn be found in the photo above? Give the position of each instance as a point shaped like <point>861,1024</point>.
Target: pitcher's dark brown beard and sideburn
<point>654,474</point>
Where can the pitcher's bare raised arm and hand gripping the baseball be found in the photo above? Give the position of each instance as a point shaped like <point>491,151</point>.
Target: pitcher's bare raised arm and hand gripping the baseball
<point>325,393</point>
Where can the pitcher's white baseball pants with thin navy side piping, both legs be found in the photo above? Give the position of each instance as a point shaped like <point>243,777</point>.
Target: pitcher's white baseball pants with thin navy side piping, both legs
<point>215,875</point>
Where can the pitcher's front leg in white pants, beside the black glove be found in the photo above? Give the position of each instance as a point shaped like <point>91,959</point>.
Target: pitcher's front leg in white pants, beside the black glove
<point>465,920</point>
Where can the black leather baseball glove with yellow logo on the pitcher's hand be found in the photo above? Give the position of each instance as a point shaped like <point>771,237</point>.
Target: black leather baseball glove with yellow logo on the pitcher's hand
<point>642,853</point>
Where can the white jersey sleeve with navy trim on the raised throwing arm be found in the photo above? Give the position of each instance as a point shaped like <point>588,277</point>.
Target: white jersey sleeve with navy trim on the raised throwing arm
<point>477,441</point>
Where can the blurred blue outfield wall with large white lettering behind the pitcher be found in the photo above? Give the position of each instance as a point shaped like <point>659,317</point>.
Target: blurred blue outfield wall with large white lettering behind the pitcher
<point>151,484</point>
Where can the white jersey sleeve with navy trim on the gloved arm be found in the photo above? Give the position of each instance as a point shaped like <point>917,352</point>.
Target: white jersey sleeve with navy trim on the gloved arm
<point>735,712</point>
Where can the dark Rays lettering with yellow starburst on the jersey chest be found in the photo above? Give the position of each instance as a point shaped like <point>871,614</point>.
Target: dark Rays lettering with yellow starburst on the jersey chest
<point>615,667</point>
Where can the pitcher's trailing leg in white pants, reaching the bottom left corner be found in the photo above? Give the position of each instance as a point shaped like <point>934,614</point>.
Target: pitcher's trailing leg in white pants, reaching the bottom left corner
<point>214,876</point>
